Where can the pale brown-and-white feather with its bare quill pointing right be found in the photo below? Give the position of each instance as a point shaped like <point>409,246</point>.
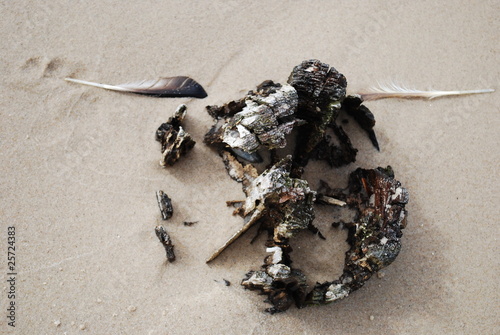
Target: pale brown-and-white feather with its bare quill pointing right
<point>393,90</point>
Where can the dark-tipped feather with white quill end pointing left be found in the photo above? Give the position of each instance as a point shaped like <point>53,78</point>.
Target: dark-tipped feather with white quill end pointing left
<point>163,87</point>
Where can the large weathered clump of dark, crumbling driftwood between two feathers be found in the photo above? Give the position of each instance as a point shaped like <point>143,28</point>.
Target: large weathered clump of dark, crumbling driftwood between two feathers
<point>283,204</point>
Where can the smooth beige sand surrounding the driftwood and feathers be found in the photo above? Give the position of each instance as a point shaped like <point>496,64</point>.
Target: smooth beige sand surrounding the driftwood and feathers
<point>79,166</point>
